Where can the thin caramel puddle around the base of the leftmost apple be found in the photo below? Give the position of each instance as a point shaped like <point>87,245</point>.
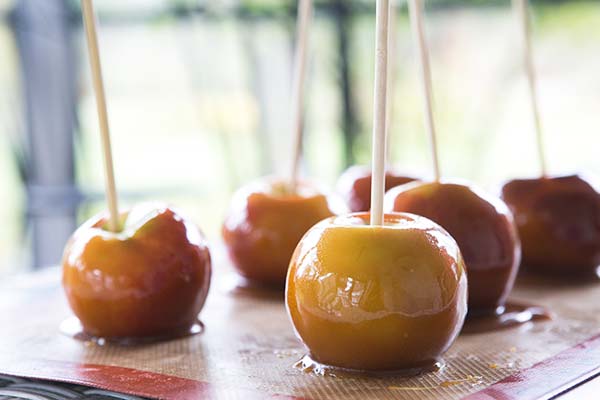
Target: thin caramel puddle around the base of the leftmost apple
<point>72,327</point>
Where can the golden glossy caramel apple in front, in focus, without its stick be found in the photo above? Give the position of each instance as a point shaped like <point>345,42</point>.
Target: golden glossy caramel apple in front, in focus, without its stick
<point>377,298</point>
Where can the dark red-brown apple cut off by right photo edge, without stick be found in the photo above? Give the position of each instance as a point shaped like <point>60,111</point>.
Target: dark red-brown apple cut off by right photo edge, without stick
<point>558,219</point>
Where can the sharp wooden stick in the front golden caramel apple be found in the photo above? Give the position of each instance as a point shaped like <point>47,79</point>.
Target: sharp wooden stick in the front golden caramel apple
<point>380,111</point>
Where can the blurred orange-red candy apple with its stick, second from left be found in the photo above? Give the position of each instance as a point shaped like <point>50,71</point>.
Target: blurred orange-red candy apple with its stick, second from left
<point>268,218</point>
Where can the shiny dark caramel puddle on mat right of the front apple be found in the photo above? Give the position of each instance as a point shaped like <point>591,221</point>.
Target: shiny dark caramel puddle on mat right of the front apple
<point>509,316</point>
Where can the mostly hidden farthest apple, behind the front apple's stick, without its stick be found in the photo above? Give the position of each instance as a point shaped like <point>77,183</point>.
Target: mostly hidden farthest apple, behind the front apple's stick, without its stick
<point>355,186</point>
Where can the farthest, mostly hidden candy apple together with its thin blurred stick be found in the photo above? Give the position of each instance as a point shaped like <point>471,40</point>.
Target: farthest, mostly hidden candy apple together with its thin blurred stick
<point>355,183</point>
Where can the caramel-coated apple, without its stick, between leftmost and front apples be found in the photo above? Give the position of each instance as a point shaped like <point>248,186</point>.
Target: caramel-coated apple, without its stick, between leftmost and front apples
<point>265,223</point>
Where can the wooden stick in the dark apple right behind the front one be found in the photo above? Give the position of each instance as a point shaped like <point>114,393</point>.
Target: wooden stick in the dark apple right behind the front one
<point>416,16</point>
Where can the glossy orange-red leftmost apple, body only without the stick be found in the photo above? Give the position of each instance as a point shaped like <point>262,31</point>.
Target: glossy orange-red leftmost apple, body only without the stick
<point>148,281</point>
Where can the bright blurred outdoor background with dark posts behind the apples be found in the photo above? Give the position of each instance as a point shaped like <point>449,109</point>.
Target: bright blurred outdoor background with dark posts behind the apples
<point>199,91</point>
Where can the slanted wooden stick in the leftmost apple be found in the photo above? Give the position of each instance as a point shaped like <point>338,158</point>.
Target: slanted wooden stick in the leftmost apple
<point>89,19</point>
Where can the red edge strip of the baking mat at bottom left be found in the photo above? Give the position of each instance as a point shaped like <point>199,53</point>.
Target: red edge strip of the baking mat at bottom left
<point>125,380</point>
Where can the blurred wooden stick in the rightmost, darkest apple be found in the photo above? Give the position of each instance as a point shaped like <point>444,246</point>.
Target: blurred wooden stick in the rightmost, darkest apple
<point>522,10</point>
